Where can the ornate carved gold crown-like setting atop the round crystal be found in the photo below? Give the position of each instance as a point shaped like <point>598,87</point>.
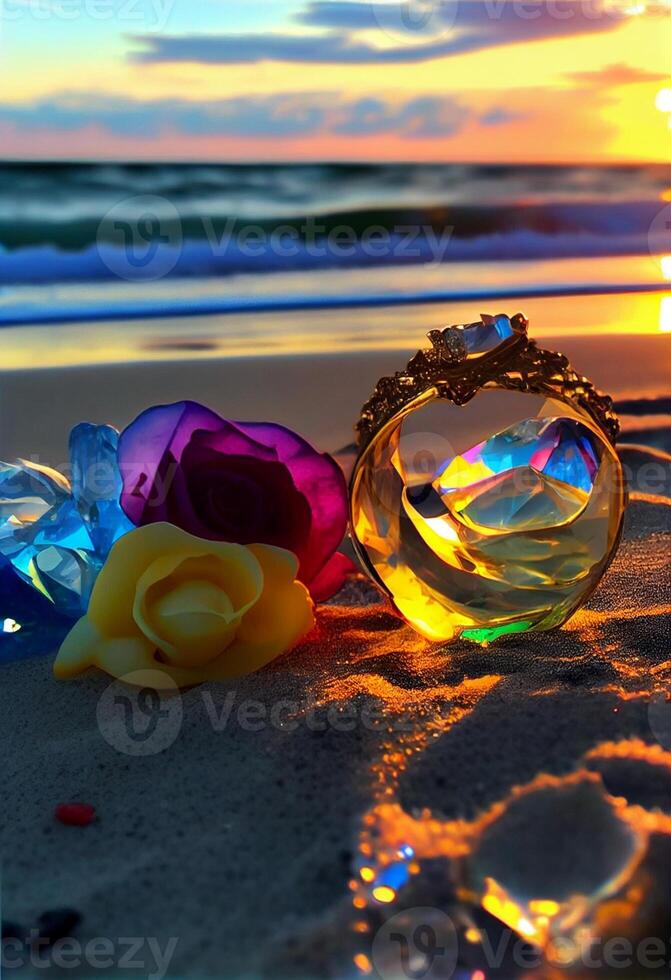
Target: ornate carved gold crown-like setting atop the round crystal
<point>517,363</point>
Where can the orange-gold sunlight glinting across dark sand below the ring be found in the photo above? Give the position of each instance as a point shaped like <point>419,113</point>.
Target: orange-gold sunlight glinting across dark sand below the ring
<point>601,889</point>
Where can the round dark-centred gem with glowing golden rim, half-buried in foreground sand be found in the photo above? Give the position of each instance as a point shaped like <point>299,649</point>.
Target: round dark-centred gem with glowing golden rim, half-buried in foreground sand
<point>545,892</point>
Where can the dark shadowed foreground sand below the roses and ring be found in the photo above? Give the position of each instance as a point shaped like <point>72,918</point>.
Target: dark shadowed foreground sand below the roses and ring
<point>234,843</point>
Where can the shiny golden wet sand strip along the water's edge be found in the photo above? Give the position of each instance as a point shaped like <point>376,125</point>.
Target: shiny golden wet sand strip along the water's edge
<point>332,331</point>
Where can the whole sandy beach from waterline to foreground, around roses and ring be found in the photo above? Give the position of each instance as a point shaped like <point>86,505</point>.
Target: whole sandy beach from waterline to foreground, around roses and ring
<point>287,825</point>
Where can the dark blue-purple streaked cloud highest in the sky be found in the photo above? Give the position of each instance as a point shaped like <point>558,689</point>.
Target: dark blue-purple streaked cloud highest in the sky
<point>350,31</point>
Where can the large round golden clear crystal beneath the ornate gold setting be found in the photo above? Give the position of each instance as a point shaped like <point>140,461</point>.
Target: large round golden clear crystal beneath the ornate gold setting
<point>492,518</point>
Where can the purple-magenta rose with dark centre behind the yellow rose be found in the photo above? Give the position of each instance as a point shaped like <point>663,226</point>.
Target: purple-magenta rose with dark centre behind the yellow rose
<point>242,482</point>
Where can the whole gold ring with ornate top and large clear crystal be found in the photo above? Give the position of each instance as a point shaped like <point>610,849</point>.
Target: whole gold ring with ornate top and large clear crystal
<point>487,498</point>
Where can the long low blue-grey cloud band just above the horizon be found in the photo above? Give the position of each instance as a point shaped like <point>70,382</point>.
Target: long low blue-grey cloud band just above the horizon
<point>277,116</point>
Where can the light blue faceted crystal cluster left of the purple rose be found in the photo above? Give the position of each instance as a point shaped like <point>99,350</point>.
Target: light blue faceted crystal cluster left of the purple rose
<point>57,535</point>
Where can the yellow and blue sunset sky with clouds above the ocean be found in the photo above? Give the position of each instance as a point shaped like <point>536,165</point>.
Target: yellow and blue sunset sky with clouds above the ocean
<point>474,80</point>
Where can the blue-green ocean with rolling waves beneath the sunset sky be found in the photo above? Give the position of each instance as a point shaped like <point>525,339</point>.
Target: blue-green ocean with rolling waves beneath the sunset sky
<point>78,223</point>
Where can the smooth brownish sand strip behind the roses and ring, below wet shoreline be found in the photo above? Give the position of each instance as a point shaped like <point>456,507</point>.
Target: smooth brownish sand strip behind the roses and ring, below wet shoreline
<point>317,394</point>
